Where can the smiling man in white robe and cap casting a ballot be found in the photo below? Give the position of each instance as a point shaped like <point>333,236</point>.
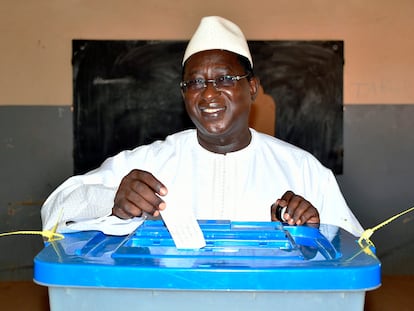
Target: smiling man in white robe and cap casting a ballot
<point>220,170</point>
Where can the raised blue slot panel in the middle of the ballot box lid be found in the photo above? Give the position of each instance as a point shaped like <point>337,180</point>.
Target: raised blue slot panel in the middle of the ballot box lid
<point>236,243</point>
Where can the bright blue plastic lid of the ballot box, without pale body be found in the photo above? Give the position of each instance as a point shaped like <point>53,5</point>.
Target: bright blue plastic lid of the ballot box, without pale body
<point>257,256</point>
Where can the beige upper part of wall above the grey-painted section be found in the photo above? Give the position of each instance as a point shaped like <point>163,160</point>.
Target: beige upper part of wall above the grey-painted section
<point>35,62</point>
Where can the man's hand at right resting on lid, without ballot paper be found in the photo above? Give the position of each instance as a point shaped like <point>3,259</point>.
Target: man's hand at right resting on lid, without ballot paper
<point>298,210</point>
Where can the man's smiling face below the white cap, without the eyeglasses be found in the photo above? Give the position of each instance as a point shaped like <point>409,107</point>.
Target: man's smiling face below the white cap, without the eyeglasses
<point>220,115</point>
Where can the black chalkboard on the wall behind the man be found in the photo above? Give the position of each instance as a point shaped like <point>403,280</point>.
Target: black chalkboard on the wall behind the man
<point>126,93</point>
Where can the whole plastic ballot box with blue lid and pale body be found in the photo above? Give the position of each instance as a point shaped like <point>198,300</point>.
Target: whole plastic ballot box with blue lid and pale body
<point>244,266</point>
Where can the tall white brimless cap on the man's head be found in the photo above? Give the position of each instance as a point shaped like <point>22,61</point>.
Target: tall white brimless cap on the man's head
<point>215,32</point>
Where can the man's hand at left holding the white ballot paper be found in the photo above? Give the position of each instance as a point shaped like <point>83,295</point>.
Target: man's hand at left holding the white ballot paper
<point>139,192</point>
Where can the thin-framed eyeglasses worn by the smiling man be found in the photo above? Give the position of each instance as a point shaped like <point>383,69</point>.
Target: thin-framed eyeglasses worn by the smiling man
<point>220,83</point>
